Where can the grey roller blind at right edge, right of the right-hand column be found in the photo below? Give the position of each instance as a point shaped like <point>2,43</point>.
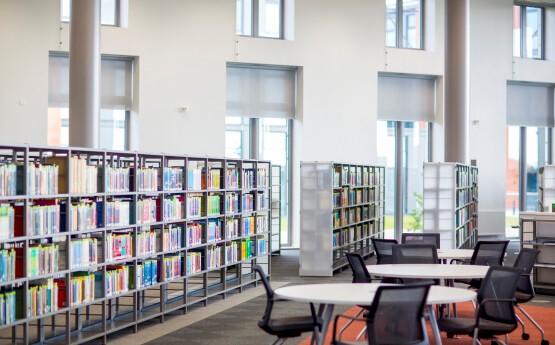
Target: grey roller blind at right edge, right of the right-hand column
<point>530,105</point>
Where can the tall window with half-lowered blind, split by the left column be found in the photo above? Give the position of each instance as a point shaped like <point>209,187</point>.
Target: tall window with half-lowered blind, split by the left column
<point>116,101</point>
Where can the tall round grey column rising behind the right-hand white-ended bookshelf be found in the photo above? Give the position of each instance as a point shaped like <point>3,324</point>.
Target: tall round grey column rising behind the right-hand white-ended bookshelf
<point>456,81</point>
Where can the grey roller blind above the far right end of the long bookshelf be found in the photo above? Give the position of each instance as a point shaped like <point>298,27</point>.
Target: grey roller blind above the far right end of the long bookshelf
<point>254,91</point>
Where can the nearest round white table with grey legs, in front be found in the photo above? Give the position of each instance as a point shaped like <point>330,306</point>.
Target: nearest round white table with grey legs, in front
<point>328,295</point>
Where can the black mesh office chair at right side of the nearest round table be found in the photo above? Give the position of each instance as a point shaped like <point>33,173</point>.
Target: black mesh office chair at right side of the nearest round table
<point>495,314</point>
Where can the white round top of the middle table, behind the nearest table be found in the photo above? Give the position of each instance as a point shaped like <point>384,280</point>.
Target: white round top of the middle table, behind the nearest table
<point>429,271</point>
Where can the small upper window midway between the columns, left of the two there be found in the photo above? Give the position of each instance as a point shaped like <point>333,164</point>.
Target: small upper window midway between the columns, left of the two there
<point>259,18</point>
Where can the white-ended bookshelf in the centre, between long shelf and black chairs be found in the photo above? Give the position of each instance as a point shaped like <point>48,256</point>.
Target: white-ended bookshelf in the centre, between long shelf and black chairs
<point>342,208</point>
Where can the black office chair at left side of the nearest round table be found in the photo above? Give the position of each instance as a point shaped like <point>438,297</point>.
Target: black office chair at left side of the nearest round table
<point>286,327</point>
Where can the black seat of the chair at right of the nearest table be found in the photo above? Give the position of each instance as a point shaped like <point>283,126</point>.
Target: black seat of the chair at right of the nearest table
<point>459,325</point>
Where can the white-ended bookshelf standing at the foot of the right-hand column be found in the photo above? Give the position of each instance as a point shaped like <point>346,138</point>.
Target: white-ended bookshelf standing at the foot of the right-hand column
<point>451,203</point>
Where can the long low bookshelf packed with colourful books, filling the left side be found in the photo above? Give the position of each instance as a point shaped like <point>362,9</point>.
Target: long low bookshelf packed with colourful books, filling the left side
<point>94,241</point>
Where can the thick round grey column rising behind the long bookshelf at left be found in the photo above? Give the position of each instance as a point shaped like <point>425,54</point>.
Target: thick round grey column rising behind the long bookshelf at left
<point>84,73</point>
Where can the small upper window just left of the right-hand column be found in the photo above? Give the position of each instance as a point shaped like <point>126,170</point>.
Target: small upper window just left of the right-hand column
<point>404,23</point>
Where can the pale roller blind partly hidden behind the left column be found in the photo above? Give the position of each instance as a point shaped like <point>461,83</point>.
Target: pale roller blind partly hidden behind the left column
<point>116,80</point>
